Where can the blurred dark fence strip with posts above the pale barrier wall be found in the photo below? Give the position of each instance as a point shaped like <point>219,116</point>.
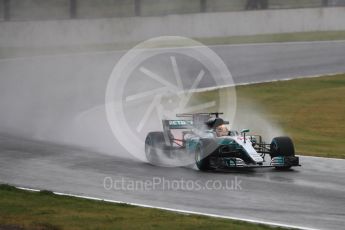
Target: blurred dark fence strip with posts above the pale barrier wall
<point>19,10</point>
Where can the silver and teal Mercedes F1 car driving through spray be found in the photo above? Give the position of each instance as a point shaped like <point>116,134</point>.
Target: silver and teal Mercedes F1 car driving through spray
<point>202,136</point>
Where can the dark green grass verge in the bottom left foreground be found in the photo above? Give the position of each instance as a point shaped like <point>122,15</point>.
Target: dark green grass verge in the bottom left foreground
<point>44,210</point>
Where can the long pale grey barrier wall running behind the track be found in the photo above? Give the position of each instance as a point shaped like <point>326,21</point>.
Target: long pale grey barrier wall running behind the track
<point>64,33</point>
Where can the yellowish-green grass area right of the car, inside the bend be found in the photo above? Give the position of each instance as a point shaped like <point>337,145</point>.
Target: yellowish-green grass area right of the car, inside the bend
<point>310,110</point>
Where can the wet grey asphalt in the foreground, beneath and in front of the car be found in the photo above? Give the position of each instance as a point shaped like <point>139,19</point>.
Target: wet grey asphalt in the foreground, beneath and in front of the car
<point>309,196</point>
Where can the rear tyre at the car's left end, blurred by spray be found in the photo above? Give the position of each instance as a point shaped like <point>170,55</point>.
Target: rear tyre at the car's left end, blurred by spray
<point>154,142</point>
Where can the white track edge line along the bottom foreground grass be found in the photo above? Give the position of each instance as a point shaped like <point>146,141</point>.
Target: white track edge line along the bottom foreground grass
<point>177,210</point>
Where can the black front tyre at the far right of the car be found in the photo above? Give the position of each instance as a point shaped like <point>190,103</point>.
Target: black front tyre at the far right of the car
<point>282,146</point>
